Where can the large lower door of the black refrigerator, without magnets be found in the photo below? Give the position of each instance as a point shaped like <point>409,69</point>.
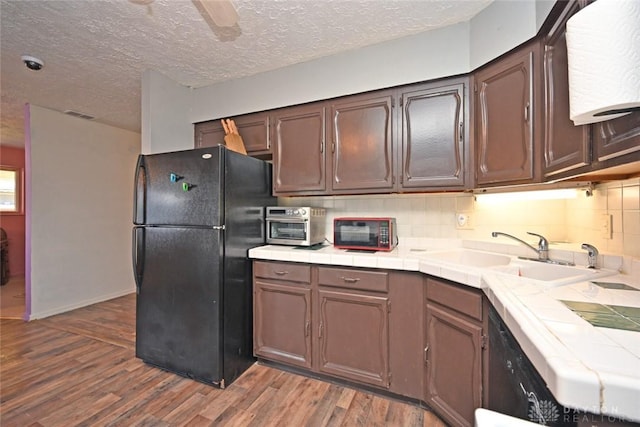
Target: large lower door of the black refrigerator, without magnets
<point>178,318</point>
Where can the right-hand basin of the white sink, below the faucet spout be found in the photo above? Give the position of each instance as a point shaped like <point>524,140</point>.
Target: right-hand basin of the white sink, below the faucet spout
<point>549,274</point>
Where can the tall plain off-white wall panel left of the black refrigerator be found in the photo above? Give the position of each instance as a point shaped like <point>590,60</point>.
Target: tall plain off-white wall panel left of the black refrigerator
<point>81,201</point>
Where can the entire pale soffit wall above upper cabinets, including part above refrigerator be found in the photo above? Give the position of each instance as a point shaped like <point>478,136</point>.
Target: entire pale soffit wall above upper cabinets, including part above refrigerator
<point>167,114</point>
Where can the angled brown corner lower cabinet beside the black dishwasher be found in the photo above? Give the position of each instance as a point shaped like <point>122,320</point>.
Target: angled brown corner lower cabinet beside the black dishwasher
<point>453,353</point>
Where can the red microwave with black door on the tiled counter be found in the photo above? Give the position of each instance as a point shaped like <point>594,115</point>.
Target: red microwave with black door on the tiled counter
<point>373,234</point>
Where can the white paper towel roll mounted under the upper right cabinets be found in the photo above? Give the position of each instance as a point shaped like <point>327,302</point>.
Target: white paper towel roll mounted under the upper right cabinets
<point>603,48</point>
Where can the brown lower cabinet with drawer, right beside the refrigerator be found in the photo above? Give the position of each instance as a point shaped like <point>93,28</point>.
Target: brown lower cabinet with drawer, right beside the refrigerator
<point>282,312</point>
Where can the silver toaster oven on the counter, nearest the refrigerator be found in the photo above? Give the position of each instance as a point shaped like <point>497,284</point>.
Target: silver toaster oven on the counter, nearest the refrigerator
<point>295,226</point>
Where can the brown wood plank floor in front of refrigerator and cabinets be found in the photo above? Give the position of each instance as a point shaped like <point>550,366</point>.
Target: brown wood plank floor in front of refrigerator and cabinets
<point>79,369</point>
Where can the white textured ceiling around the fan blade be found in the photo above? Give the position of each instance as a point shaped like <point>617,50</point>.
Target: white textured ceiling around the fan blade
<point>96,51</point>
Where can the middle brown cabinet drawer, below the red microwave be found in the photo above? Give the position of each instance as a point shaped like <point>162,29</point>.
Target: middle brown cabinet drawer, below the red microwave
<point>377,281</point>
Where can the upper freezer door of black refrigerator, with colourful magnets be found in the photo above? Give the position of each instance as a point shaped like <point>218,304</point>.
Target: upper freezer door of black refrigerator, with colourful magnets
<point>180,188</point>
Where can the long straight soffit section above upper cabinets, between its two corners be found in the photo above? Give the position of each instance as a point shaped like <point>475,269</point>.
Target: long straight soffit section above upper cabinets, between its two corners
<point>439,53</point>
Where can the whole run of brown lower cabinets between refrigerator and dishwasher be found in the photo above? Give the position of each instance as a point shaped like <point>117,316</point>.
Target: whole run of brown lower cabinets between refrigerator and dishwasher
<point>402,332</point>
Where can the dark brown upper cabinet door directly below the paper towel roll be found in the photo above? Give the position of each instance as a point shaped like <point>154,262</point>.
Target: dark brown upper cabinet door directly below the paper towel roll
<point>618,137</point>
